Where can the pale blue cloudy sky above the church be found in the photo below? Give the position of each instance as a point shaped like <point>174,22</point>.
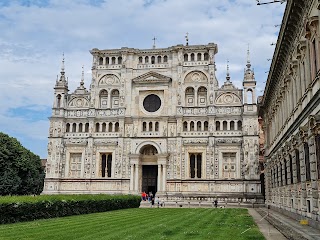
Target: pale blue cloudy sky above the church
<point>35,33</point>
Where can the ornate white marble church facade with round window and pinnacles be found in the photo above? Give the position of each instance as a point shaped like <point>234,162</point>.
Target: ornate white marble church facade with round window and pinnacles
<point>155,120</point>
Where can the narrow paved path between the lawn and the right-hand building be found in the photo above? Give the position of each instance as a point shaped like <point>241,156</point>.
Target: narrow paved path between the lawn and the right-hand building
<point>268,231</point>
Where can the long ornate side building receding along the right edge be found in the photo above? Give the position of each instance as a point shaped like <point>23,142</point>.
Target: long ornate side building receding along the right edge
<point>290,109</point>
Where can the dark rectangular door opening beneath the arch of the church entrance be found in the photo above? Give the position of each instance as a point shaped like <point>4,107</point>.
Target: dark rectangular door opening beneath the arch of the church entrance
<point>149,178</point>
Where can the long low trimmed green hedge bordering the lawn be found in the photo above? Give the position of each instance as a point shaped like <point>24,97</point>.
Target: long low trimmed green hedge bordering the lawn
<point>28,208</point>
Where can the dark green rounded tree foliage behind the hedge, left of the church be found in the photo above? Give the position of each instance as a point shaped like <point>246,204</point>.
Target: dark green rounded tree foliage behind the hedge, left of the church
<point>20,170</point>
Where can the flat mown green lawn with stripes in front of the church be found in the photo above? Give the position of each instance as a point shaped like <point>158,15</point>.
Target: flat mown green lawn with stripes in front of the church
<point>145,223</point>
